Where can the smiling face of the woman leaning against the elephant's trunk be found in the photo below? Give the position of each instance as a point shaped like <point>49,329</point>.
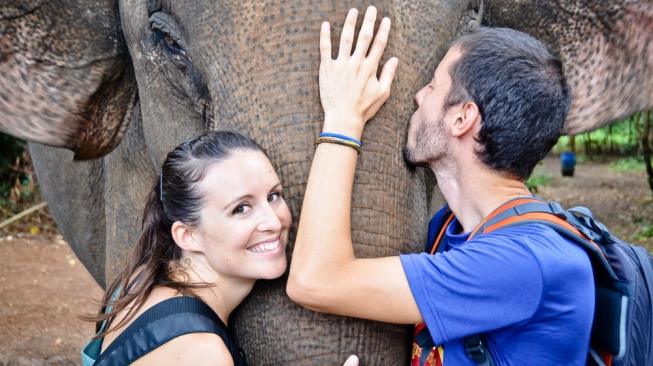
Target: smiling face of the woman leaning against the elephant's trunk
<point>244,220</point>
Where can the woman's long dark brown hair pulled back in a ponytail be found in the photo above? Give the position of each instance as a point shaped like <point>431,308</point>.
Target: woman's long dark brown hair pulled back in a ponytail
<point>174,197</point>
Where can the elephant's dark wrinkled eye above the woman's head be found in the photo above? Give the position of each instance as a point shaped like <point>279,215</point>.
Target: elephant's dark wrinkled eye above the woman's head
<point>168,35</point>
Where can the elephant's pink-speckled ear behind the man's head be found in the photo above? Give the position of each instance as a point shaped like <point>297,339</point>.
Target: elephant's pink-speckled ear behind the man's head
<point>606,48</point>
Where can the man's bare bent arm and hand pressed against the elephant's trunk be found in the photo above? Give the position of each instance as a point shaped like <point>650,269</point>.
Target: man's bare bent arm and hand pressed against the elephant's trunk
<point>325,275</point>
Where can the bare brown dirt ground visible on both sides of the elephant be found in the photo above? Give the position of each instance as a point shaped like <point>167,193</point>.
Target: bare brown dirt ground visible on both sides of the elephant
<point>43,287</point>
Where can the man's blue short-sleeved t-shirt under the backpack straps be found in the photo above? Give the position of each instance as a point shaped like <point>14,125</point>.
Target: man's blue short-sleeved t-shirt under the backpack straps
<point>528,289</point>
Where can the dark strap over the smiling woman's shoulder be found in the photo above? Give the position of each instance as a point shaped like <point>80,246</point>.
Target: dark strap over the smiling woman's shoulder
<point>161,323</point>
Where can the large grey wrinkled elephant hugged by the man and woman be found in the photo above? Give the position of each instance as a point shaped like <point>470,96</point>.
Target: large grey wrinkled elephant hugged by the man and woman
<point>102,89</point>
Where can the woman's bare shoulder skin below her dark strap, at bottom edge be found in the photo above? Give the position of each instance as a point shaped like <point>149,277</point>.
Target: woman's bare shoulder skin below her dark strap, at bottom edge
<point>190,349</point>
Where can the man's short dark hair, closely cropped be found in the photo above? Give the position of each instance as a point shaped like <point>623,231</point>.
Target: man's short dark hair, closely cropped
<point>522,95</point>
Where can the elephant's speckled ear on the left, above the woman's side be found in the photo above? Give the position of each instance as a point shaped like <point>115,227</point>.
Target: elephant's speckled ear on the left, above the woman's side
<point>66,79</point>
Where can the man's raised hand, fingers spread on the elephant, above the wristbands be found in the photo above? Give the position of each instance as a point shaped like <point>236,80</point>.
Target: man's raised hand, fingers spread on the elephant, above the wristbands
<point>349,90</point>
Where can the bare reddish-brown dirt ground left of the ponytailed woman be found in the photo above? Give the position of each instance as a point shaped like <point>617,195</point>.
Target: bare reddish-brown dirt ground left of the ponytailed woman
<point>43,288</point>
